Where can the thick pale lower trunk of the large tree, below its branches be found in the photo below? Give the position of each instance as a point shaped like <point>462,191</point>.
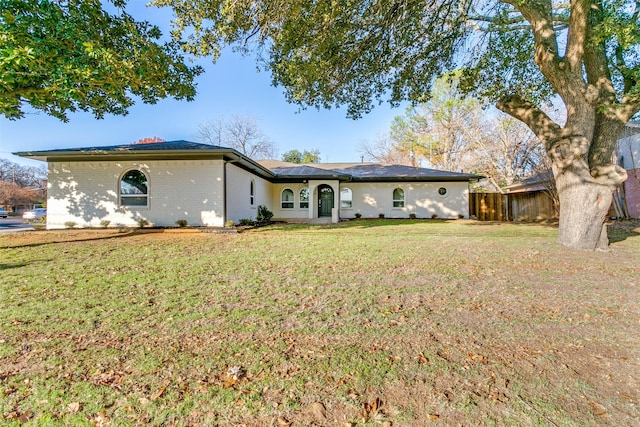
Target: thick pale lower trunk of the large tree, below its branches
<point>584,204</point>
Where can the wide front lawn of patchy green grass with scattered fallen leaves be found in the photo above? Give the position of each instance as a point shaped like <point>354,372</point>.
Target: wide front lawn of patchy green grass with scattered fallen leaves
<point>446,322</point>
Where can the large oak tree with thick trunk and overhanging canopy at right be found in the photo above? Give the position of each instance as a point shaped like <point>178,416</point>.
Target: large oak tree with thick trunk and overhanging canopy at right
<point>517,54</point>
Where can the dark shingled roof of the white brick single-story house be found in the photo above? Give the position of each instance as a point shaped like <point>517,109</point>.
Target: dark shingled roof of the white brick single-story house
<point>270,169</point>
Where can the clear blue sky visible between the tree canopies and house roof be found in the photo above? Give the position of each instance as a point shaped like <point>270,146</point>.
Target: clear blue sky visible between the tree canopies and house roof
<point>230,87</point>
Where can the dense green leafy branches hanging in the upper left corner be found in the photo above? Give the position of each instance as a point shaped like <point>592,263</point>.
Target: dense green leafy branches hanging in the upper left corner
<point>60,57</point>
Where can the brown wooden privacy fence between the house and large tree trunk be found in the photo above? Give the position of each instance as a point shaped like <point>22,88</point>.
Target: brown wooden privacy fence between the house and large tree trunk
<point>530,206</point>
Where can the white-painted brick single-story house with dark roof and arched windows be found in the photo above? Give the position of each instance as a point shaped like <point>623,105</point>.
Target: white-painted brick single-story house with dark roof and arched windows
<point>206,185</point>
